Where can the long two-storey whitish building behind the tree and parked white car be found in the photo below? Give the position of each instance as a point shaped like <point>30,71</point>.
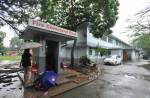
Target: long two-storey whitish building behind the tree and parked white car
<point>86,46</point>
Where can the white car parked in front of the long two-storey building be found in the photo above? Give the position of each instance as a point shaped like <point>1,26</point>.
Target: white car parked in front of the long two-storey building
<point>113,60</point>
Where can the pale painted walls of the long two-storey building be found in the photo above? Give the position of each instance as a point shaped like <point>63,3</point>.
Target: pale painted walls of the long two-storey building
<point>84,36</point>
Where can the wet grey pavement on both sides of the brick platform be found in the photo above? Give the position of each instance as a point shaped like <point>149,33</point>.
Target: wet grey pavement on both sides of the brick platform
<point>130,80</point>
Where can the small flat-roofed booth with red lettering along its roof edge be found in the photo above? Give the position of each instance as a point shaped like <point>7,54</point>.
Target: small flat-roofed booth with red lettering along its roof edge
<point>51,37</point>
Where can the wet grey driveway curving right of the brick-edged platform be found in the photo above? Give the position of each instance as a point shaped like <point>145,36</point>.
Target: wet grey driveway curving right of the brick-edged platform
<point>129,80</point>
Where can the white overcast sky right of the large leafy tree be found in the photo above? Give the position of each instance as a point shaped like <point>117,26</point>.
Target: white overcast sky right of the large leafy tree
<point>127,9</point>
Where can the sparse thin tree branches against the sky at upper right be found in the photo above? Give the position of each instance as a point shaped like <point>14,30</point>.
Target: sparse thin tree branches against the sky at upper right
<point>140,23</point>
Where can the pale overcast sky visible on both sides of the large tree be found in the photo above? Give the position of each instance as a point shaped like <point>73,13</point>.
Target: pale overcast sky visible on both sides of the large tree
<point>127,9</point>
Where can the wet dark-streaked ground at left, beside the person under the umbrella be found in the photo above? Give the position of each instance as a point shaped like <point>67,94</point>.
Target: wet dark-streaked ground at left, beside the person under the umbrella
<point>10,85</point>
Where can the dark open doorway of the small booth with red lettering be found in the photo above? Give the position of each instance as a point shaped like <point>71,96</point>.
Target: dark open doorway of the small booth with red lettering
<point>52,49</point>
